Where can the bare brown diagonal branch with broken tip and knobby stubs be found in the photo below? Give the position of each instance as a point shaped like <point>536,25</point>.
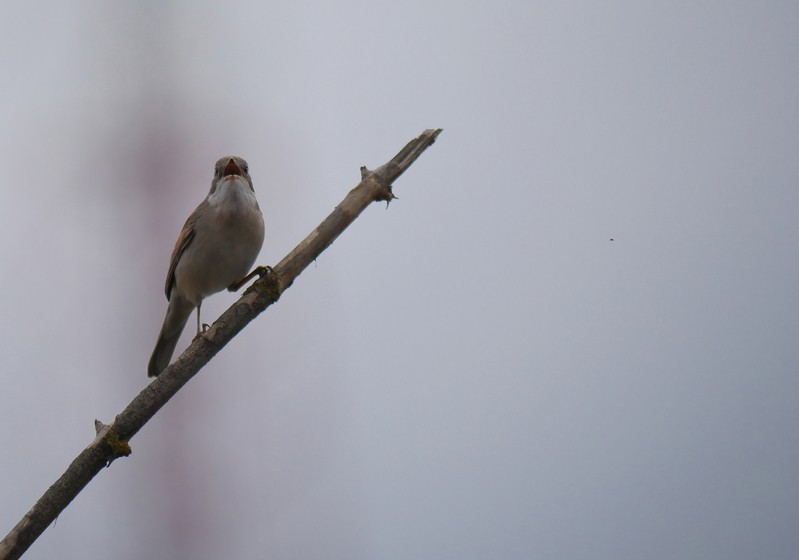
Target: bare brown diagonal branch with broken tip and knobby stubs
<point>111,441</point>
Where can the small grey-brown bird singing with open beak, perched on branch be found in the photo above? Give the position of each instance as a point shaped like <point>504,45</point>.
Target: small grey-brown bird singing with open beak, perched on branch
<point>215,249</point>
